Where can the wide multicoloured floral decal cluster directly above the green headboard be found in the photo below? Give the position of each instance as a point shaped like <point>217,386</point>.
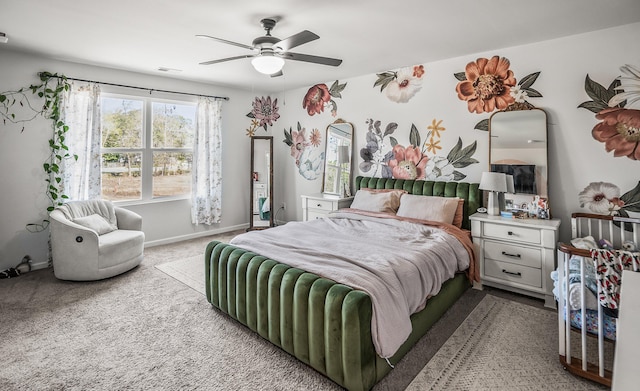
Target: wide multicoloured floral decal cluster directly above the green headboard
<point>413,161</point>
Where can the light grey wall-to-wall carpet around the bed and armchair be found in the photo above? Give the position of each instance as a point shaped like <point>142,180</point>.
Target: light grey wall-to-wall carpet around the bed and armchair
<point>145,330</point>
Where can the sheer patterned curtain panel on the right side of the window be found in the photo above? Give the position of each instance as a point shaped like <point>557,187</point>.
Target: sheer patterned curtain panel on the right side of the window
<point>206,192</point>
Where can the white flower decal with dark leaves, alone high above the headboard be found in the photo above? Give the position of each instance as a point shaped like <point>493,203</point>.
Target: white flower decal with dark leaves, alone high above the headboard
<point>400,86</point>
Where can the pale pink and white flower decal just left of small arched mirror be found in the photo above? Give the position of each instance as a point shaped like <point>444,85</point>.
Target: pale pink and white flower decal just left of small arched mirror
<point>302,146</point>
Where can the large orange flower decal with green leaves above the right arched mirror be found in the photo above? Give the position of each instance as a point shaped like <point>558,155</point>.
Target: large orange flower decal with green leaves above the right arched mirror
<point>488,85</point>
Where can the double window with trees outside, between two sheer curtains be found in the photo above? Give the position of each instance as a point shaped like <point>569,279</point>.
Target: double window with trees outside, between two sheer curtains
<point>146,148</point>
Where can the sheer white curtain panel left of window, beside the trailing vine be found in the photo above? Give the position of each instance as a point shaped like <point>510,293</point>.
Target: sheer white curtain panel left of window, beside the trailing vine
<point>82,179</point>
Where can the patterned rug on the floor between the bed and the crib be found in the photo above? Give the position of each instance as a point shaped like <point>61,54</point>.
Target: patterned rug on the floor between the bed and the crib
<point>502,345</point>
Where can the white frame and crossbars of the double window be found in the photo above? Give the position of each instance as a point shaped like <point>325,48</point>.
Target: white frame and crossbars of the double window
<point>147,150</point>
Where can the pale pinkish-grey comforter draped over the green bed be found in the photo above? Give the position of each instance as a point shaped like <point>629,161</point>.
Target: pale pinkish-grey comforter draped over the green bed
<point>398,263</point>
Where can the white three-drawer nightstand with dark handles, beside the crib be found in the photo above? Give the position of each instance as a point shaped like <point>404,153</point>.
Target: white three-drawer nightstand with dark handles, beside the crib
<point>516,254</point>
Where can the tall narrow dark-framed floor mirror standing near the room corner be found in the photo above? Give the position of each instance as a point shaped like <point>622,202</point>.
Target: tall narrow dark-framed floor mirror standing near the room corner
<point>261,176</point>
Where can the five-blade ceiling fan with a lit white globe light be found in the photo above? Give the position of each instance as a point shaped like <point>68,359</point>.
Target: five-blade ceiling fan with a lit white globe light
<point>270,52</point>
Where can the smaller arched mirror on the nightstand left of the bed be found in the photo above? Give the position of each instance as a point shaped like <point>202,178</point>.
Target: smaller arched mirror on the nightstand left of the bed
<point>337,162</point>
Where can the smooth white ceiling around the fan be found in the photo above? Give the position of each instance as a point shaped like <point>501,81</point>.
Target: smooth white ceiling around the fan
<point>369,35</point>
